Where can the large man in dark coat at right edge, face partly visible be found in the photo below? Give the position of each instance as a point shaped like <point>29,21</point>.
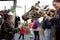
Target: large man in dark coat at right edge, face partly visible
<point>56,4</point>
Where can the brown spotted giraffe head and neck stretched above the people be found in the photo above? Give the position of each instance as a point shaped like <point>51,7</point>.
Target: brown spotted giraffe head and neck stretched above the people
<point>33,12</point>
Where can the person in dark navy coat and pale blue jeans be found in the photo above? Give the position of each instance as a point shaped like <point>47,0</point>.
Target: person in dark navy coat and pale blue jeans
<point>47,27</point>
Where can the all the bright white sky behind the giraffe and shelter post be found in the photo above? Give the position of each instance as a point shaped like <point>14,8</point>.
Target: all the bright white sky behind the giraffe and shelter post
<point>20,10</point>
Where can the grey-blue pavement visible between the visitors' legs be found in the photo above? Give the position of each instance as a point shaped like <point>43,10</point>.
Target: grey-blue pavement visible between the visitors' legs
<point>26,37</point>
